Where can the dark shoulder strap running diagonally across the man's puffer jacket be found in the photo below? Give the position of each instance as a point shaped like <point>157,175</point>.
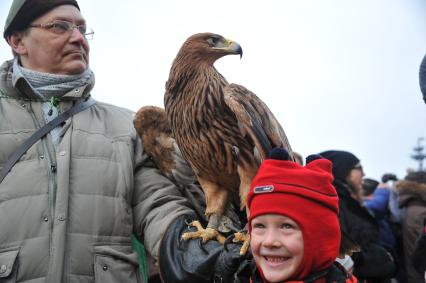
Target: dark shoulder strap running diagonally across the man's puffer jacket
<point>14,157</point>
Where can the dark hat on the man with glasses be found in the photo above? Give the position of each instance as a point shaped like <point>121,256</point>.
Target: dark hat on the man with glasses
<point>23,12</point>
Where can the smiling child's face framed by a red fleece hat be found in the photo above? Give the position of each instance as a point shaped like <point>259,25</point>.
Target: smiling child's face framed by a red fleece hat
<point>277,246</point>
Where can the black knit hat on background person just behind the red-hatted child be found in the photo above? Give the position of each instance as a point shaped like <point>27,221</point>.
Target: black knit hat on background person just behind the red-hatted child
<point>343,162</point>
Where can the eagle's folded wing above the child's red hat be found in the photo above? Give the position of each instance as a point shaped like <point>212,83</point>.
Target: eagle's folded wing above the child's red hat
<point>255,120</point>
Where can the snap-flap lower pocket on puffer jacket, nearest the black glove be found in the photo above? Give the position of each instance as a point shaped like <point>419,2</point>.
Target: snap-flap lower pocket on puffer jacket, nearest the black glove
<point>116,264</point>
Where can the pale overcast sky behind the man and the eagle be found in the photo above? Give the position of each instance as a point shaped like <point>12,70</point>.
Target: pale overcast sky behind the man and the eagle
<point>337,74</point>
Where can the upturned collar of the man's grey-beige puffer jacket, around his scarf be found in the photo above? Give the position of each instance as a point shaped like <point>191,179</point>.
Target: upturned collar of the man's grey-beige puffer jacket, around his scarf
<point>18,87</point>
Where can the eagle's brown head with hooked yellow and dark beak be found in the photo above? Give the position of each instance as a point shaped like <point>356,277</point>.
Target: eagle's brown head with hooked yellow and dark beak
<point>208,47</point>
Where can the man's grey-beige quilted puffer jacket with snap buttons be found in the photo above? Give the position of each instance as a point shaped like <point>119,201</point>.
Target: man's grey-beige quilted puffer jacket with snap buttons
<point>67,213</point>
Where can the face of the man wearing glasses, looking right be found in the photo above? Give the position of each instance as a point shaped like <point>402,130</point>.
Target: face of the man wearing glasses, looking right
<point>45,51</point>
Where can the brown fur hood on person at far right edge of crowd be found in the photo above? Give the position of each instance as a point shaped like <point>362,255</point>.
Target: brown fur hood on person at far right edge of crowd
<point>409,191</point>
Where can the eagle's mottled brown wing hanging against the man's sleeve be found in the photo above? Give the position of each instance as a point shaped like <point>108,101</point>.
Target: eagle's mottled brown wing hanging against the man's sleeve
<point>152,126</point>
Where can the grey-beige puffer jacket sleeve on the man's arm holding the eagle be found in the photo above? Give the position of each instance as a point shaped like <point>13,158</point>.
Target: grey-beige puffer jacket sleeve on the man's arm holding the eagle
<point>157,201</point>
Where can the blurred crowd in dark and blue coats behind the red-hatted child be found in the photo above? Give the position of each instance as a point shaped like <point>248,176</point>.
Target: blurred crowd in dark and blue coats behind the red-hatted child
<point>386,218</point>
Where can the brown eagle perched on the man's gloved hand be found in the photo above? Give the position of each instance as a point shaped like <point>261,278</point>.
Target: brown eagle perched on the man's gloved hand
<point>223,130</point>
